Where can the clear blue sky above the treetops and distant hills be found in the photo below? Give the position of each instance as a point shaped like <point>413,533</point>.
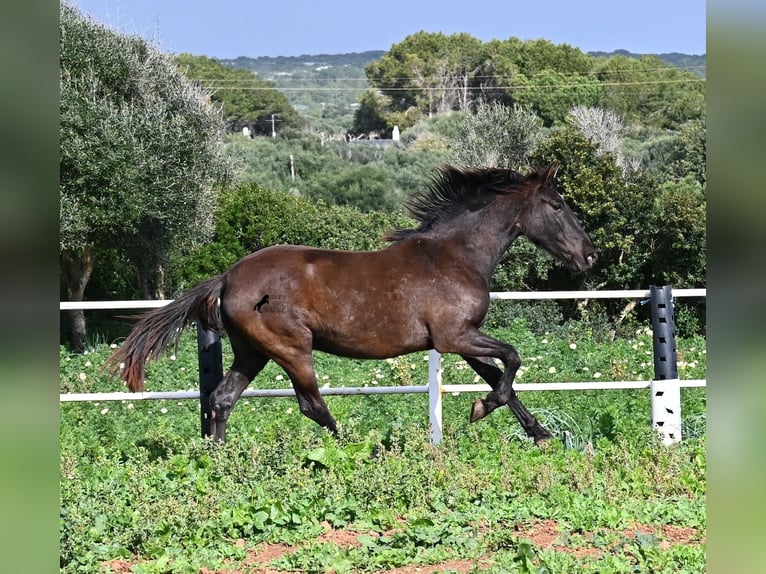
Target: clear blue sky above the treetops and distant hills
<point>232,28</point>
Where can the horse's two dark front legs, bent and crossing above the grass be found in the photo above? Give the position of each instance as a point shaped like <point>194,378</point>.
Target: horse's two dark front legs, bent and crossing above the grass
<point>488,371</point>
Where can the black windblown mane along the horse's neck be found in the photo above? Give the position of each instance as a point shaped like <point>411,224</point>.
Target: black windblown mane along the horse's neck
<point>453,190</point>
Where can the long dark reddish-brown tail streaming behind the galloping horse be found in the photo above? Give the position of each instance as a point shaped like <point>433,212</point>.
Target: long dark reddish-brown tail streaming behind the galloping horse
<point>157,329</point>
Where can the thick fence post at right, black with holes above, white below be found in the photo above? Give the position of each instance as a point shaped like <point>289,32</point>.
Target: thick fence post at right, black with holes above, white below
<point>665,388</point>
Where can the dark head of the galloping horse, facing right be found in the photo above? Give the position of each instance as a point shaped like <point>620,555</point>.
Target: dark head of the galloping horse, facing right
<point>548,222</point>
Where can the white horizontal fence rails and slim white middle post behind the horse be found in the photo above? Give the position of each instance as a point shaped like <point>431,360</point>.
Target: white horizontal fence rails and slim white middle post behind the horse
<point>434,388</point>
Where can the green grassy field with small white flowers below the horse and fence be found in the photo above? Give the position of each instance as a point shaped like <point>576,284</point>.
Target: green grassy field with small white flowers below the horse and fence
<point>141,492</point>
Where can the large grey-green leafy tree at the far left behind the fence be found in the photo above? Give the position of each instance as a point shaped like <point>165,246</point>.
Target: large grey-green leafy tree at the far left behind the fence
<point>140,156</point>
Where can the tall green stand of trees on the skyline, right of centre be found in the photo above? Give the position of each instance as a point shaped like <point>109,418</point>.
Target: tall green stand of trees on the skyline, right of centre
<point>437,73</point>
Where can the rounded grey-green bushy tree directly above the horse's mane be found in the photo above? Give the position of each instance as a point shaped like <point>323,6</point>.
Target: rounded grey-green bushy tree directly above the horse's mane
<point>497,136</point>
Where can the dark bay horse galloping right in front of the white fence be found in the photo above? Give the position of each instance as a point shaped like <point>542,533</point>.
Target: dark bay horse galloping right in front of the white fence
<point>429,289</point>
